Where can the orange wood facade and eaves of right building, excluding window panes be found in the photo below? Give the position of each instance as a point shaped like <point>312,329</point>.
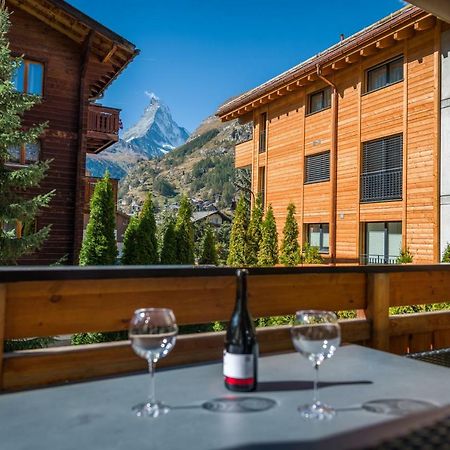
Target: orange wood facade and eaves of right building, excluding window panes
<point>409,107</point>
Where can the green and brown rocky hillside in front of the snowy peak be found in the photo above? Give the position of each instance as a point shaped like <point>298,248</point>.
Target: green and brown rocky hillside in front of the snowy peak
<point>203,168</point>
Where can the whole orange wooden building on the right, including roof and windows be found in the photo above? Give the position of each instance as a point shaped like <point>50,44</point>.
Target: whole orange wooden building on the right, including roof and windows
<point>358,137</point>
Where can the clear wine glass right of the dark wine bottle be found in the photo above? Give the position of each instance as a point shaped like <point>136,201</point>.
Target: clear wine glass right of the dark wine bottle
<point>316,335</point>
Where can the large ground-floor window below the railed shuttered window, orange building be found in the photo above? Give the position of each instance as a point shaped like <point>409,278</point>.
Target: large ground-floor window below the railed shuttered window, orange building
<point>383,242</point>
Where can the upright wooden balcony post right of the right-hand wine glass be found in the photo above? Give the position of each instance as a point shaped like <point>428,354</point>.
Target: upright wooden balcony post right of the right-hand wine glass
<point>377,310</point>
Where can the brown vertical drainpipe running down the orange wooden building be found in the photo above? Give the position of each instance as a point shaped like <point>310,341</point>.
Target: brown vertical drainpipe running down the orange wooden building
<point>333,164</point>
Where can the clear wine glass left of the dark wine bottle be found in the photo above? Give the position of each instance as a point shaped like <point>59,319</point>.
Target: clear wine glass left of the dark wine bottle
<point>153,332</point>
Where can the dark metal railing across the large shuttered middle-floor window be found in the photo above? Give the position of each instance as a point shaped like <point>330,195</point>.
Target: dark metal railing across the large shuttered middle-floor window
<point>381,186</point>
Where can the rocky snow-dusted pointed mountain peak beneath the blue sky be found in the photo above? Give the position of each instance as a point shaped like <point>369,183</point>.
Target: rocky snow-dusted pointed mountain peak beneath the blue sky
<point>155,134</point>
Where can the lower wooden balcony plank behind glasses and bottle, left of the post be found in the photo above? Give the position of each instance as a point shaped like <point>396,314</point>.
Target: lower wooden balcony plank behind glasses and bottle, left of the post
<point>33,368</point>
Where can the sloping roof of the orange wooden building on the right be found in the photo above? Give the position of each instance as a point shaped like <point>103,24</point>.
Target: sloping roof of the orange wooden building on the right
<point>253,98</point>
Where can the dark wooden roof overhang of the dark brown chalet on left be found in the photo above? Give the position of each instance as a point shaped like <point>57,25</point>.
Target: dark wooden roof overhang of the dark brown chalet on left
<point>113,51</point>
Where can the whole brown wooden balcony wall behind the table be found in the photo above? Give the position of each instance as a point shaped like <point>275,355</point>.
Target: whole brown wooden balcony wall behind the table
<point>59,301</point>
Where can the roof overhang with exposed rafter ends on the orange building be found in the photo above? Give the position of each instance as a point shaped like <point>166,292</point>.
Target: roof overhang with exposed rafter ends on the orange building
<point>398,26</point>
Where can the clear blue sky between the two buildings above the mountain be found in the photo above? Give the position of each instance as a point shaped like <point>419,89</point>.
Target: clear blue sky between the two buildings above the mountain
<point>196,54</point>
